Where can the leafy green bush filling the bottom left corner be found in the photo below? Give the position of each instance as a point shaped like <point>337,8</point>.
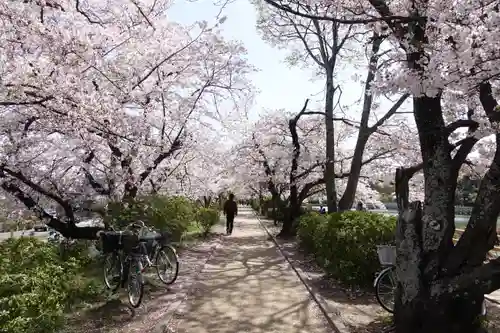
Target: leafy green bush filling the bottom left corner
<point>37,286</point>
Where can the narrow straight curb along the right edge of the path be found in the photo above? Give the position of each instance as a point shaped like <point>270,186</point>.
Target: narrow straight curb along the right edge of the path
<point>335,325</point>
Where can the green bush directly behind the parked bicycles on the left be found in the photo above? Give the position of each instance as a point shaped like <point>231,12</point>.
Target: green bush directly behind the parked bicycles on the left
<point>170,214</point>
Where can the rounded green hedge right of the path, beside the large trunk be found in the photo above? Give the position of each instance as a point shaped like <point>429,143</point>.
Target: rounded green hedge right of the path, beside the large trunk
<point>345,244</point>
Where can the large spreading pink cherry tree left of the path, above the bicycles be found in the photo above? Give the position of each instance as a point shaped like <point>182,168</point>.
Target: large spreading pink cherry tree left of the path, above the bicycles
<point>104,99</point>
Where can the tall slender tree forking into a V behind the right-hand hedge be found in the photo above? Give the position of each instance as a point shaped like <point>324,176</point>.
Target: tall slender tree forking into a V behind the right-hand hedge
<point>326,47</point>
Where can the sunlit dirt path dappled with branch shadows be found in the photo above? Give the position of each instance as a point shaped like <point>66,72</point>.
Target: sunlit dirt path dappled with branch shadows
<point>247,286</point>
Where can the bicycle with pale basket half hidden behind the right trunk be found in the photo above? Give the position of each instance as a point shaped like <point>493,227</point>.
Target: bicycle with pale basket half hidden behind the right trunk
<point>385,281</point>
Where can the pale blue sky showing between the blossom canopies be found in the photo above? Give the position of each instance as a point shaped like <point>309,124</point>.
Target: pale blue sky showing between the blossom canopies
<point>280,87</point>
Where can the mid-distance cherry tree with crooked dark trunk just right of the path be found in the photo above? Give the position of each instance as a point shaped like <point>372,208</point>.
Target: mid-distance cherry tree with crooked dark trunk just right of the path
<point>285,152</point>
